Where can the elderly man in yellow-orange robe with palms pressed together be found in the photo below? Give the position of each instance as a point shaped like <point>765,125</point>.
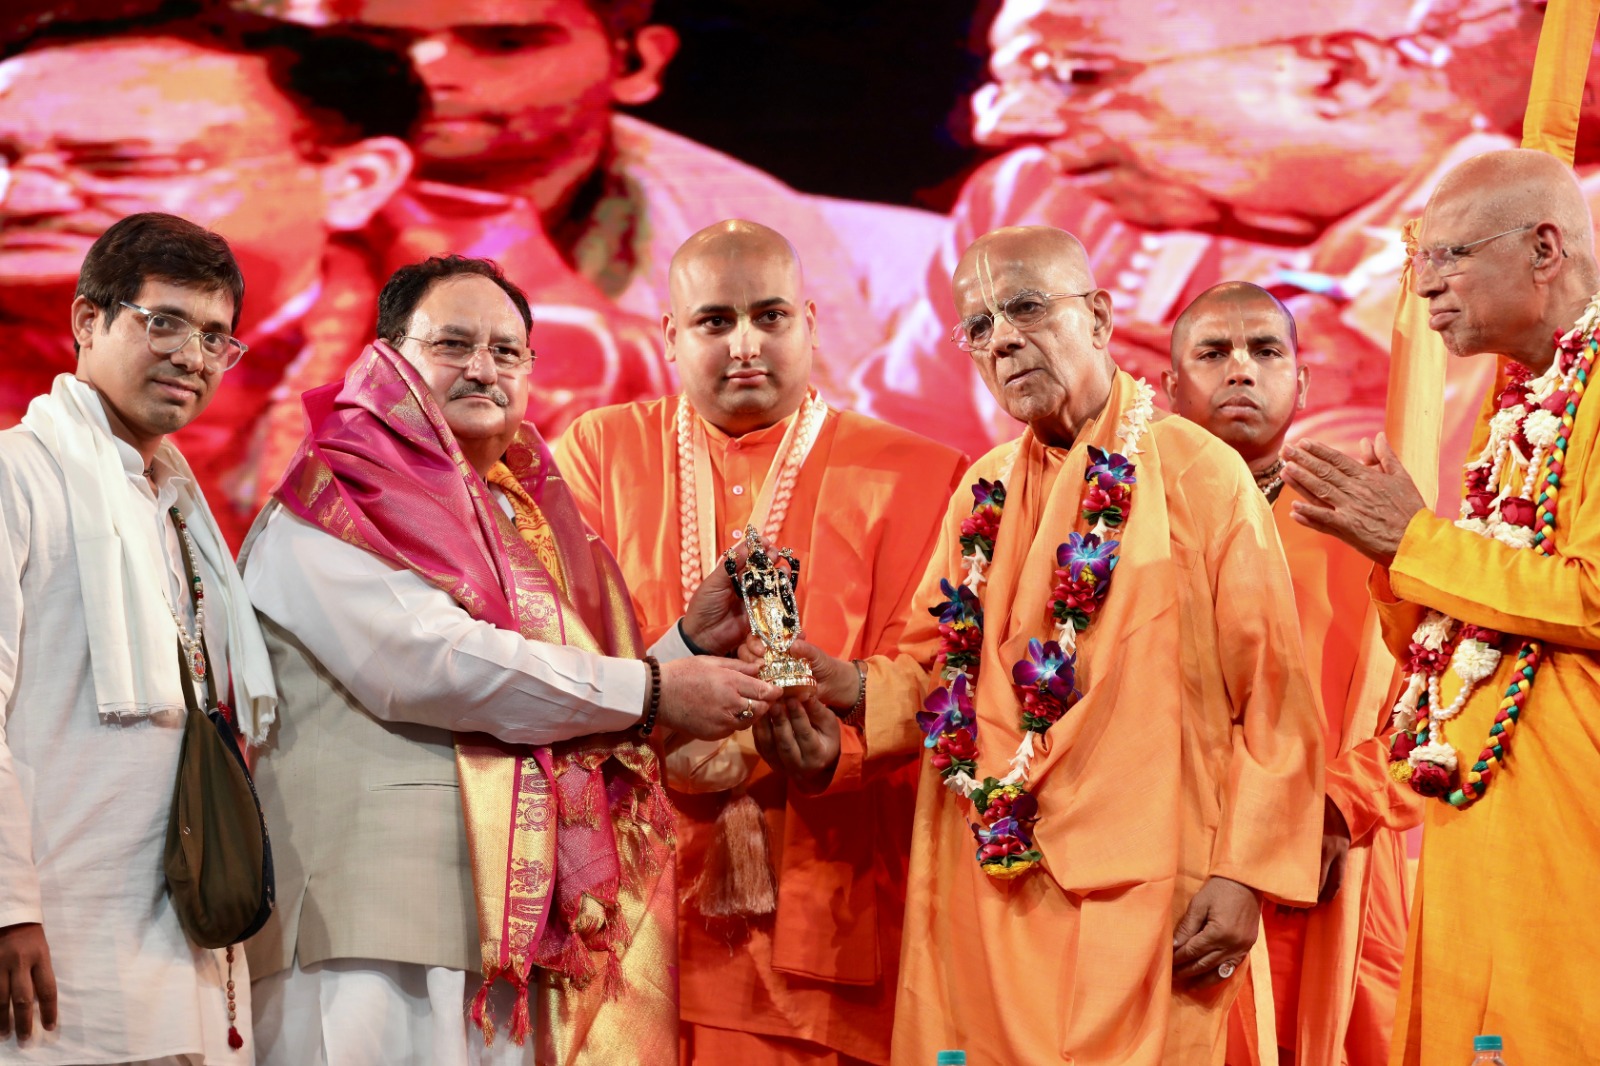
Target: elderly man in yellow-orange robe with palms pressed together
<point>1497,623</point>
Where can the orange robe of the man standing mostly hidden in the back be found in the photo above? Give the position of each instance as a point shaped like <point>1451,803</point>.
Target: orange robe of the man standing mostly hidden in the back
<point>1337,968</point>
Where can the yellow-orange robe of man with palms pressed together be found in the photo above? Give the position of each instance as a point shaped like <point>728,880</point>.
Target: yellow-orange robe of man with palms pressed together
<point>1503,936</point>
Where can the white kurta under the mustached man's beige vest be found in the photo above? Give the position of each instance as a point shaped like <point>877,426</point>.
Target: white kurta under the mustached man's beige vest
<point>410,654</point>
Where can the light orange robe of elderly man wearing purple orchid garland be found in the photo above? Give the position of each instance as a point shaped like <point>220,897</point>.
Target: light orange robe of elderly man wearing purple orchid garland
<point>1196,751</point>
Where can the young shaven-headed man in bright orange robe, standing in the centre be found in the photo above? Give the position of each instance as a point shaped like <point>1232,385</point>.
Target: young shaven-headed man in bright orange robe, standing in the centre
<point>807,974</point>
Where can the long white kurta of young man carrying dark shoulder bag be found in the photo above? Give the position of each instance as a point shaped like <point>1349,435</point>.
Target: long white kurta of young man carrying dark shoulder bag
<point>84,804</point>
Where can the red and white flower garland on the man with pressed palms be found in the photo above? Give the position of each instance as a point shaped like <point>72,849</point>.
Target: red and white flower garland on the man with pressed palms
<point>1526,454</point>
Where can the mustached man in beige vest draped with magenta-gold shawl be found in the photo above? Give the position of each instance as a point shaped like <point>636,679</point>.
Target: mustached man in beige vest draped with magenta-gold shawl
<point>466,803</point>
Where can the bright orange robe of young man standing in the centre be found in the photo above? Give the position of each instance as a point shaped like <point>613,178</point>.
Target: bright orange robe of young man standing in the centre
<point>863,519</point>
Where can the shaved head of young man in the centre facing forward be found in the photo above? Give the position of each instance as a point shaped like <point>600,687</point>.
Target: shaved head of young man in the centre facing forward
<point>742,331</point>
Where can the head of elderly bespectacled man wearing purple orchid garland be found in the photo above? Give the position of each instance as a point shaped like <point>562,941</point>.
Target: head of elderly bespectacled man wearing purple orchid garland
<point>1038,326</point>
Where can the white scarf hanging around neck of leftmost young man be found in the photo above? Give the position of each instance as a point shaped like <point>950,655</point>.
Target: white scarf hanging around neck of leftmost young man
<point>122,571</point>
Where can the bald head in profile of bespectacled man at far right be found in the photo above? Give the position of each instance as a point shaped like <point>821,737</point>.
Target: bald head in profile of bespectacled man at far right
<point>1511,255</point>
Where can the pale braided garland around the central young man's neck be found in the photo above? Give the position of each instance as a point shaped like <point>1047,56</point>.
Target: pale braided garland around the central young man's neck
<point>700,559</point>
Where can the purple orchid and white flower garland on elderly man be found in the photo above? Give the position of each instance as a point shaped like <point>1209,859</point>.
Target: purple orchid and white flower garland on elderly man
<point>1046,679</point>
